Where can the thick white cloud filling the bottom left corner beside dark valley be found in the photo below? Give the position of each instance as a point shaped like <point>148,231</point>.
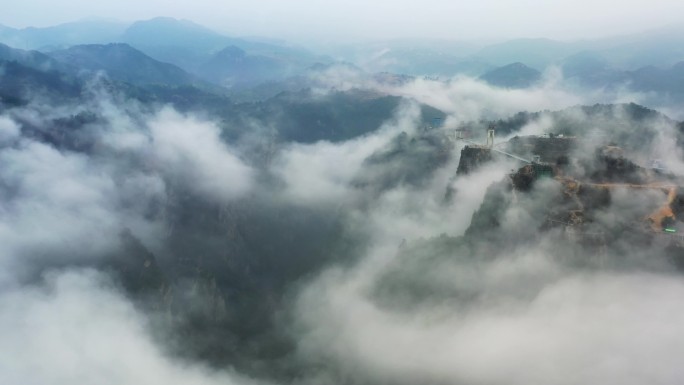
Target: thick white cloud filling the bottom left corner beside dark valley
<point>78,329</point>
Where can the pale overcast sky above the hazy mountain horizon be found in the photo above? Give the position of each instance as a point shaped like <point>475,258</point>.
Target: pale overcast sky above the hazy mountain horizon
<point>297,19</point>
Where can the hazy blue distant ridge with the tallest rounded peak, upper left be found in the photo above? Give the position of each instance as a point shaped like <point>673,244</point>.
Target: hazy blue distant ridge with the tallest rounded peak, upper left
<point>184,44</point>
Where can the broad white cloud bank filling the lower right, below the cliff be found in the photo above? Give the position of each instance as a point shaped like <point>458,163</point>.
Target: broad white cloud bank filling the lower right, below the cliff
<point>532,325</point>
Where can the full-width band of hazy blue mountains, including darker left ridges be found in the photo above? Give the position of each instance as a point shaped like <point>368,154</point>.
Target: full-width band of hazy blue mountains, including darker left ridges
<point>181,52</point>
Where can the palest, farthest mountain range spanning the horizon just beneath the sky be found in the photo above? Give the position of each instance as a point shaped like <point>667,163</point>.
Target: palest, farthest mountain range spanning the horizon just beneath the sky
<point>191,46</point>
